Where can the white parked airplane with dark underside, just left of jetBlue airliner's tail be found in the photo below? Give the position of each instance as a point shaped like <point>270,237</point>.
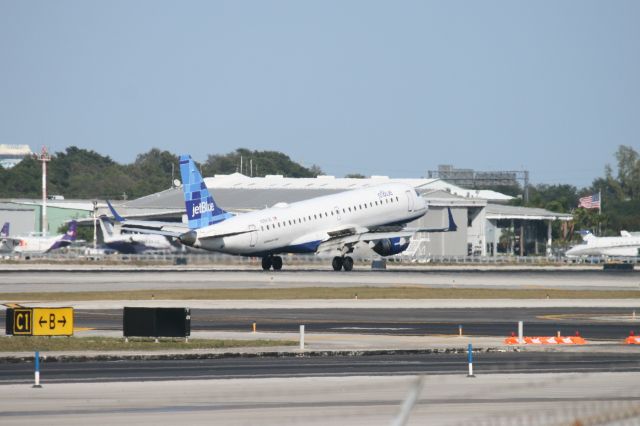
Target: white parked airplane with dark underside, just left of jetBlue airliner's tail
<point>131,243</point>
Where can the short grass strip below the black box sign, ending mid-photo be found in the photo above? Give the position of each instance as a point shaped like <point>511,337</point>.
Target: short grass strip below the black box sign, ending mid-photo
<point>39,343</point>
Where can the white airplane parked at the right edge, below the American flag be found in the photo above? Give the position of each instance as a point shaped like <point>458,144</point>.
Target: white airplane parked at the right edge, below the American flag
<point>626,245</point>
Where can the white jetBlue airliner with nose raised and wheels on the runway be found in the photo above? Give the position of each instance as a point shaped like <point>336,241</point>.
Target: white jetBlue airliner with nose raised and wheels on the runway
<point>333,223</point>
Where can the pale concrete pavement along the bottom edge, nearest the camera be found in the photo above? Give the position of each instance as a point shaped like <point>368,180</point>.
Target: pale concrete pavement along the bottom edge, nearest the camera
<point>532,399</point>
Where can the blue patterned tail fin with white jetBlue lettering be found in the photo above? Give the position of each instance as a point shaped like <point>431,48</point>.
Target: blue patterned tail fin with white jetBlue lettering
<point>201,208</point>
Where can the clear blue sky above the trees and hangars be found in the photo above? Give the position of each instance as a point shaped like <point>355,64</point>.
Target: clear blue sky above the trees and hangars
<point>394,87</point>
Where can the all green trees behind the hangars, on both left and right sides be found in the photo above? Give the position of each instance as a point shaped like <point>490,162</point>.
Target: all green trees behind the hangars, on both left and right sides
<point>81,173</point>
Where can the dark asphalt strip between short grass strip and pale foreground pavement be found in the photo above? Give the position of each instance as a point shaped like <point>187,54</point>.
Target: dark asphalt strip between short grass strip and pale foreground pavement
<point>318,366</point>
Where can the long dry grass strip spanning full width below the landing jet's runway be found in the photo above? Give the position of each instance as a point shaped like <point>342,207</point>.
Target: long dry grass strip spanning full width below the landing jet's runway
<point>407,292</point>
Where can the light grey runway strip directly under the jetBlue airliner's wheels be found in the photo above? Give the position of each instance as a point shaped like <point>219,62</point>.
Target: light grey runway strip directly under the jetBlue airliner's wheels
<point>57,281</point>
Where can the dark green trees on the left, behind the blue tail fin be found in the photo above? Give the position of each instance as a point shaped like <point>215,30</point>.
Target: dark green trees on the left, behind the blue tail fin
<point>81,173</point>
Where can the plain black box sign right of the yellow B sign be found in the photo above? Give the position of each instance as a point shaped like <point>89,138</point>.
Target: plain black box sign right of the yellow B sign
<point>156,322</point>
